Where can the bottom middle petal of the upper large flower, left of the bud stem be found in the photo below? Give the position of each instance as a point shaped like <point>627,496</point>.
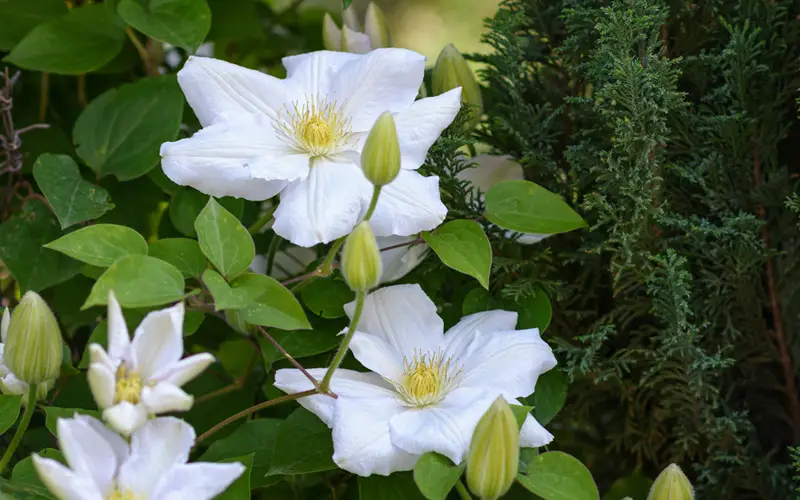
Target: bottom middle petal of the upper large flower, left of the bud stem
<point>324,206</point>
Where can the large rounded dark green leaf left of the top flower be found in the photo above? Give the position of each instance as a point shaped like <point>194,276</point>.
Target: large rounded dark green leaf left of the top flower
<point>121,131</point>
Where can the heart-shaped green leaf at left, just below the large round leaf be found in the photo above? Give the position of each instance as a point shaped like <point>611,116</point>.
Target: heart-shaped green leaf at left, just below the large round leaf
<point>73,199</point>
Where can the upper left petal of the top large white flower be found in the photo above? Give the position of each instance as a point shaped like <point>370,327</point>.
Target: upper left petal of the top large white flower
<point>214,87</point>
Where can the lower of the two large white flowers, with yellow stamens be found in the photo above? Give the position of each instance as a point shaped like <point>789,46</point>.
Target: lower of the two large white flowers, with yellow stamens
<point>427,389</point>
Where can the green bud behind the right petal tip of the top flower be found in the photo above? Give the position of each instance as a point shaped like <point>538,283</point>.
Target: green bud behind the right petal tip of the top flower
<point>452,71</point>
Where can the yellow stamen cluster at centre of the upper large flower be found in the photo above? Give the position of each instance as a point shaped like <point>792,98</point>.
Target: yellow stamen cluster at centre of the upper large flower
<point>316,127</point>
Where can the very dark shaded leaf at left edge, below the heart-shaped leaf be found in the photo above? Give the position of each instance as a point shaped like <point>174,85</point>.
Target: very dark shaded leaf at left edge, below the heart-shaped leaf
<point>22,237</point>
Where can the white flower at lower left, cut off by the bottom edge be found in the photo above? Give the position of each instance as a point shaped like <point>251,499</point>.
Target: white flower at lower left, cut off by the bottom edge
<point>102,466</point>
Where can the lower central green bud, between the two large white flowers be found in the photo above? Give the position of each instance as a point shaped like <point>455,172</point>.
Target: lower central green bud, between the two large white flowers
<point>361,259</point>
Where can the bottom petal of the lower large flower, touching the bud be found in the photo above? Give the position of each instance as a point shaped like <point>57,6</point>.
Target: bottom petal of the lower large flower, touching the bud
<point>446,427</point>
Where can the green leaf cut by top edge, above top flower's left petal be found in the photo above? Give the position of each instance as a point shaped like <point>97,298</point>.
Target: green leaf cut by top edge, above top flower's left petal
<point>183,23</point>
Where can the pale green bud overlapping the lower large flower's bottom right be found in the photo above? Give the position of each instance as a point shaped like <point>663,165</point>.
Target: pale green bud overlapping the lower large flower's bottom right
<point>494,453</point>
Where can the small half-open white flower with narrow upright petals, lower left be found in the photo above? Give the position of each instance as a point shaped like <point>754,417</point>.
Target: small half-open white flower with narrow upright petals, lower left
<point>134,380</point>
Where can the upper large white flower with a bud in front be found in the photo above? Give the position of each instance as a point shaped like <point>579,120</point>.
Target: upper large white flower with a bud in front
<point>302,137</point>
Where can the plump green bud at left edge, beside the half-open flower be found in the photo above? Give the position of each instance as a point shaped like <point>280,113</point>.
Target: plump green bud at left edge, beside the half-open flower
<point>33,347</point>
